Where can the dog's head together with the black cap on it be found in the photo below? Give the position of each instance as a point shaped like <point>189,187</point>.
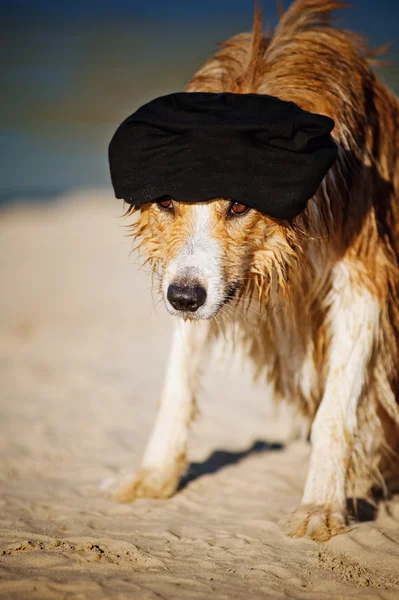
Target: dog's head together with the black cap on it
<point>253,148</point>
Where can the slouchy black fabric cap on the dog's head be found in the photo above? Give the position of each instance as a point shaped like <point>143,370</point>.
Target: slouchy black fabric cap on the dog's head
<point>192,146</point>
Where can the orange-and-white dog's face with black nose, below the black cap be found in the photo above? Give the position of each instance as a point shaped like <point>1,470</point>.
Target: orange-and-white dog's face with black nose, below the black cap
<point>211,254</point>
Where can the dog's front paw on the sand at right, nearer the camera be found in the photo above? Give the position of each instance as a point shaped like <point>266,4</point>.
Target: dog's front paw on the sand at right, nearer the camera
<point>319,522</point>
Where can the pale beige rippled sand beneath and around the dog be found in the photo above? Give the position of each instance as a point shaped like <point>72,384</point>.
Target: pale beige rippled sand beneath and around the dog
<point>82,360</point>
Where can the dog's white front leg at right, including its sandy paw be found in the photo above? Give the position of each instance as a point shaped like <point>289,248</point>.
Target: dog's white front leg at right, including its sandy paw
<point>353,326</point>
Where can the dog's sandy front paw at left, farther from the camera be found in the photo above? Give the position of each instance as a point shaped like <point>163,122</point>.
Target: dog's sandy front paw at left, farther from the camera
<point>145,483</point>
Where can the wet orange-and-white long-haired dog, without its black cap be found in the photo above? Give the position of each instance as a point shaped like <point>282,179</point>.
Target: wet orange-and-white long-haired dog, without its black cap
<point>313,302</point>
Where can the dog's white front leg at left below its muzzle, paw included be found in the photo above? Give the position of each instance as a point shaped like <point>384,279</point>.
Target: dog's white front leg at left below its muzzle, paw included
<point>165,456</point>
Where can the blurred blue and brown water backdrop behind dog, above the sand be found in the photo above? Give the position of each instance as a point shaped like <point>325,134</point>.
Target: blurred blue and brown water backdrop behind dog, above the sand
<point>71,71</point>
